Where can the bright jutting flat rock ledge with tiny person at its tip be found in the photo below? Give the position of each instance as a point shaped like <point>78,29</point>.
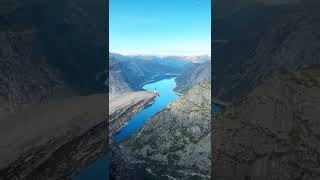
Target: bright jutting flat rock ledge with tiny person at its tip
<point>122,108</point>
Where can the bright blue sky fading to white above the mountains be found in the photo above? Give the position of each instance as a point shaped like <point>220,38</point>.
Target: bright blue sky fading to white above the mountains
<point>160,27</point>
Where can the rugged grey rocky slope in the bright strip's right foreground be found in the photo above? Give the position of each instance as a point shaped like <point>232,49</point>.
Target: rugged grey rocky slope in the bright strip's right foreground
<point>173,144</point>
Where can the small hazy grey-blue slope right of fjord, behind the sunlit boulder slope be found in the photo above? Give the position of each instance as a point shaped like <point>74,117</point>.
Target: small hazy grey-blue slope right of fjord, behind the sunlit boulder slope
<point>193,76</point>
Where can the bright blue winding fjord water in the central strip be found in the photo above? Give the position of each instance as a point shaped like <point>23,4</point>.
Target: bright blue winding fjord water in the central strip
<point>167,95</point>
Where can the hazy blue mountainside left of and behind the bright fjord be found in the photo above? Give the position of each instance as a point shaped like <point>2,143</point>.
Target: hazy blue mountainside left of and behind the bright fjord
<point>128,73</point>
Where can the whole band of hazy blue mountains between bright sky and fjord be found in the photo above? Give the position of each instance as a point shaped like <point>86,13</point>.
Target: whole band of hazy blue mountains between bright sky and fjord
<point>193,70</point>
